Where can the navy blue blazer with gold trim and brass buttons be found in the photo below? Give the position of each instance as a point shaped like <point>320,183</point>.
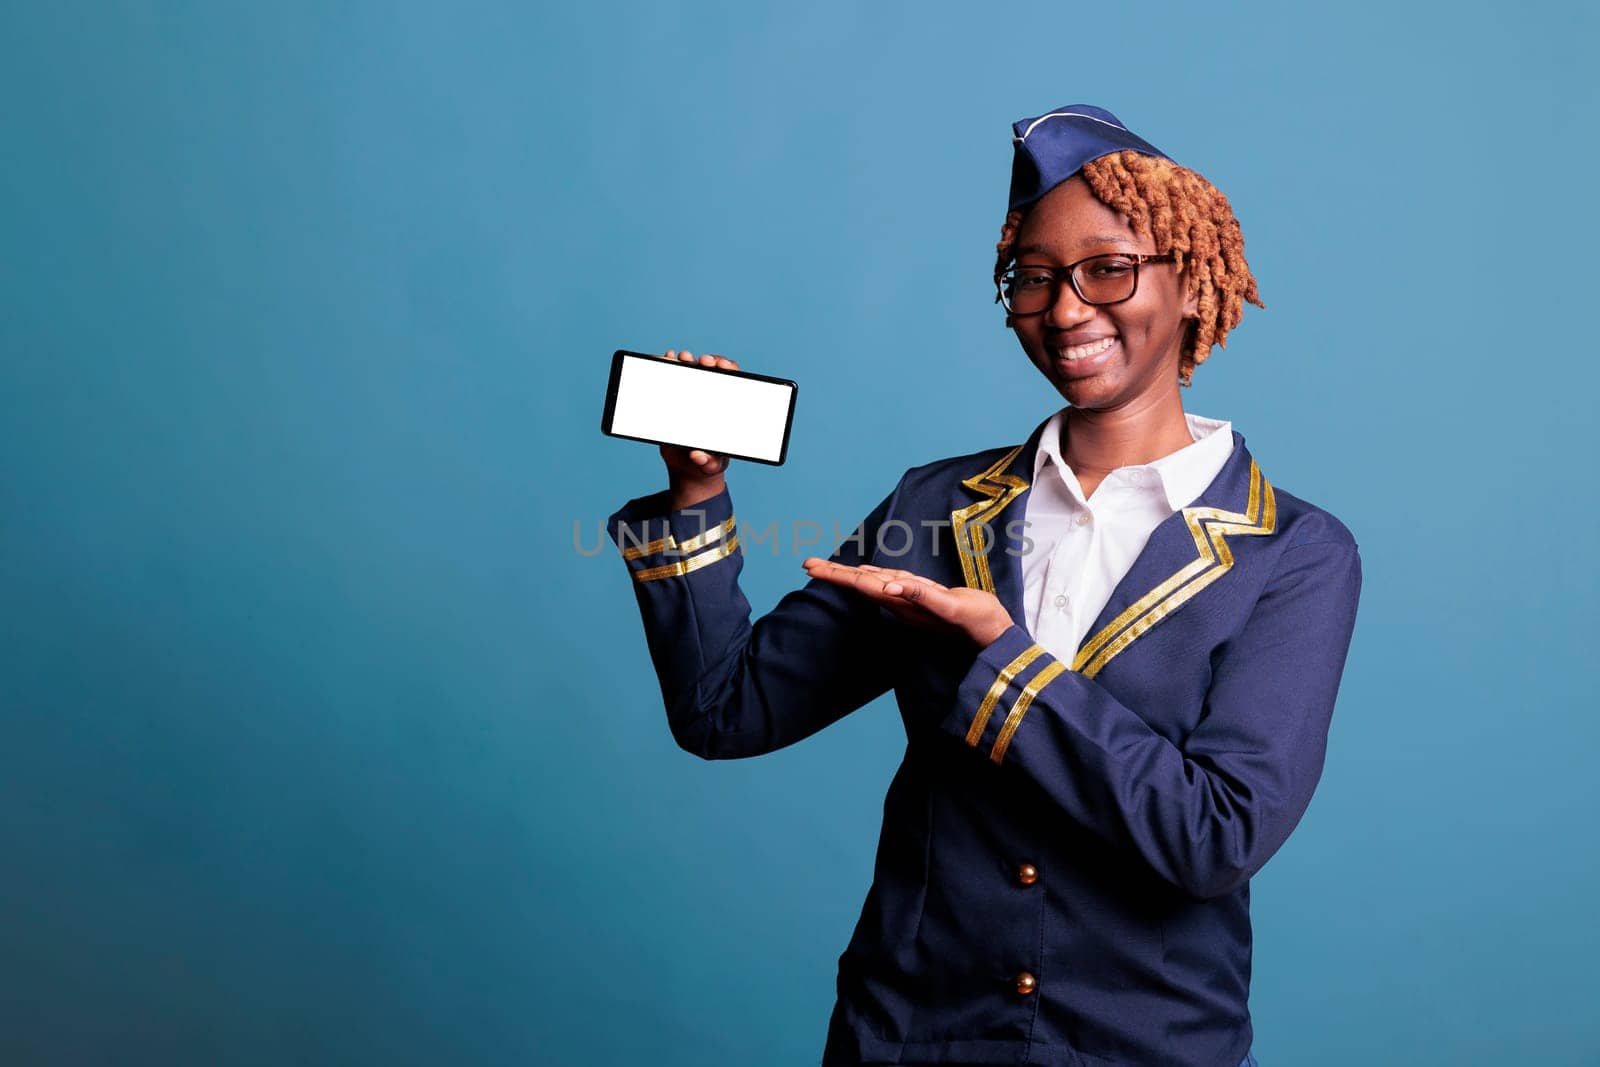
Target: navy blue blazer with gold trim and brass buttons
<point>1063,874</point>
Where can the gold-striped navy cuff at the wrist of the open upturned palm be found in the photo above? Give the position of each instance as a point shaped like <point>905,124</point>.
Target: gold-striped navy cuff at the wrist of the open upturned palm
<point>999,689</point>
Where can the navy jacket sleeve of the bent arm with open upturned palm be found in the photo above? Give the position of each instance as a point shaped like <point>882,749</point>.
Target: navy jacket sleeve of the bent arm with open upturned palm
<point>1204,817</point>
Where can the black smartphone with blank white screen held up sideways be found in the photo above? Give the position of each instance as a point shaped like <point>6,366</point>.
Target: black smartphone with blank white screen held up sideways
<point>670,402</point>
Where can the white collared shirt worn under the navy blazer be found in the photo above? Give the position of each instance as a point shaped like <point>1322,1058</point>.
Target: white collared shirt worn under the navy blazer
<point>1084,548</point>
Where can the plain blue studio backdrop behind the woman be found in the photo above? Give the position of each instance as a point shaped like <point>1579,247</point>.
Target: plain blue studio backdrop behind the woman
<point>327,737</point>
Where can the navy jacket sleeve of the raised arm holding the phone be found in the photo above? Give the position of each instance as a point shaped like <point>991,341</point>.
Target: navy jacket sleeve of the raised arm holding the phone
<point>732,689</point>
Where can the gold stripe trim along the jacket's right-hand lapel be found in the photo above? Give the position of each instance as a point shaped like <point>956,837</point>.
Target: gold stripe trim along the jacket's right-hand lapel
<point>1209,529</point>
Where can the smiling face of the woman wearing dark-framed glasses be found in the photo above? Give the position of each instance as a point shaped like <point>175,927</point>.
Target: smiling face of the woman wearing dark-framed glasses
<point>1111,356</point>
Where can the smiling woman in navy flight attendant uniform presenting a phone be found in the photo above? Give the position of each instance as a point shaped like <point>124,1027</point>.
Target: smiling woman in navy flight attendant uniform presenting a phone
<point>1116,714</point>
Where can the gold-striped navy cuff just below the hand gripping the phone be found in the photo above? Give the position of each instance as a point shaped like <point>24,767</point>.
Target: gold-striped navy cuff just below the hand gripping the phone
<point>660,543</point>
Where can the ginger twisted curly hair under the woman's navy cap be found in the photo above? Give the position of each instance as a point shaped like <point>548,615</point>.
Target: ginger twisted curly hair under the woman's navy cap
<point>1185,215</point>
